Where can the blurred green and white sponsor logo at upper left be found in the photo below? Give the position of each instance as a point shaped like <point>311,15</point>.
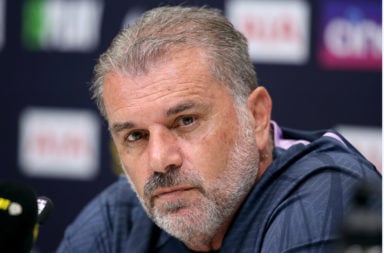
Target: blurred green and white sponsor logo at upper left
<point>61,25</point>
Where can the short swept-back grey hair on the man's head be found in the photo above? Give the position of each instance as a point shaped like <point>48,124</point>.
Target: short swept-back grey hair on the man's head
<point>160,31</point>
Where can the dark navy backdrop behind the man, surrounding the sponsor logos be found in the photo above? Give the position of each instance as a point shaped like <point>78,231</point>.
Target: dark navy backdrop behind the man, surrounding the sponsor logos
<point>34,74</point>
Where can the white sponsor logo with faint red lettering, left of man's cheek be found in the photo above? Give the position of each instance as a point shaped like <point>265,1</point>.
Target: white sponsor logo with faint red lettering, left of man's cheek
<point>59,143</point>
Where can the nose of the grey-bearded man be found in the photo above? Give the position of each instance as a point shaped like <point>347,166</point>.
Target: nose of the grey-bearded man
<point>163,150</point>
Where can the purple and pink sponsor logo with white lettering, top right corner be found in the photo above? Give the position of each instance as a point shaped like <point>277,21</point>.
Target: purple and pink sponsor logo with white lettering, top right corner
<point>350,35</point>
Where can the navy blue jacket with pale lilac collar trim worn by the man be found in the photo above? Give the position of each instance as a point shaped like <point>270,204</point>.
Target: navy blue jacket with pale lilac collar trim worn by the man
<point>296,206</point>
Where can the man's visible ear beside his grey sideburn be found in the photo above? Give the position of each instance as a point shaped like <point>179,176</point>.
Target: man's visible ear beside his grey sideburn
<point>260,105</point>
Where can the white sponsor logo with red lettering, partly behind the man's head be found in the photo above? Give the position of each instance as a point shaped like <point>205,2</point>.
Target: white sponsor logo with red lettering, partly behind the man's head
<point>277,31</point>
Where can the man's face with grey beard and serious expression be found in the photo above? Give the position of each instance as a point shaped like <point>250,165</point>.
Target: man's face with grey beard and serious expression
<point>187,155</point>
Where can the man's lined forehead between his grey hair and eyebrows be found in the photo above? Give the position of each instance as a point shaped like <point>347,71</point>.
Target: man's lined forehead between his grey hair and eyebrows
<point>185,74</point>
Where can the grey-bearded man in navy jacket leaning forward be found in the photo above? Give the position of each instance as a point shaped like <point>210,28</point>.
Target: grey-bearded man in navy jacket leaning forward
<point>204,160</point>
